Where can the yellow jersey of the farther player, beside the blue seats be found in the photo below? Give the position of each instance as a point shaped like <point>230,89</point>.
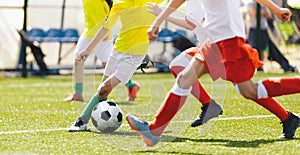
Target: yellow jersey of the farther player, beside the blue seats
<point>95,12</point>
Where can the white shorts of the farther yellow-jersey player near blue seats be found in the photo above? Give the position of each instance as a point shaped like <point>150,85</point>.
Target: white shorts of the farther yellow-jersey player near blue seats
<point>102,50</point>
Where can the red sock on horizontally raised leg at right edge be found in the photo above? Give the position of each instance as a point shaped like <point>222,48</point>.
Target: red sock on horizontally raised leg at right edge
<point>282,86</point>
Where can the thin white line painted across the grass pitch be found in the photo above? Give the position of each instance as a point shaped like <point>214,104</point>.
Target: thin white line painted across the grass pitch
<point>123,124</point>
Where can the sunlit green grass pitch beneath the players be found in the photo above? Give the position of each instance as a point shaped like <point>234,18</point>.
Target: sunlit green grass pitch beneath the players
<point>34,120</point>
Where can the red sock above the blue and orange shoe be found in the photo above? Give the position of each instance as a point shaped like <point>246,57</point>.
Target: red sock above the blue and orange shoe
<point>166,112</point>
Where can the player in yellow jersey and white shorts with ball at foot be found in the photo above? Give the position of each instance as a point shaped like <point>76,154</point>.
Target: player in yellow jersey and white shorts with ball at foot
<point>130,49</point>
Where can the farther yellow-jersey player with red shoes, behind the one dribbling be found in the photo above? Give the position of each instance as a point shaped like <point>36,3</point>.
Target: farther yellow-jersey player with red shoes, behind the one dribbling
<point>95,11</point>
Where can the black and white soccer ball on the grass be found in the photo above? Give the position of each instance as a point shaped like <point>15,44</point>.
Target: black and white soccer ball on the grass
<point>107,116</point>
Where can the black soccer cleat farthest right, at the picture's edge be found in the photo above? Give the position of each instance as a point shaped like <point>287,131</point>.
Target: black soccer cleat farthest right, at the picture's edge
<point>290,126</point>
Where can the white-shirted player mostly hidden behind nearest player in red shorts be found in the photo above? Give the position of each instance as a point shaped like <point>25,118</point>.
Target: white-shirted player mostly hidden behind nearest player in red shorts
<point>194,19</point>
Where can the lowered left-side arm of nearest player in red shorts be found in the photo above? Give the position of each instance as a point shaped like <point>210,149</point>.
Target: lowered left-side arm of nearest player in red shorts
<point>171,7</point>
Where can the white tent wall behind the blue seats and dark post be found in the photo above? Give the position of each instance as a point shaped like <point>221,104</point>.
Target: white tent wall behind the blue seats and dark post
<point>39,14</point>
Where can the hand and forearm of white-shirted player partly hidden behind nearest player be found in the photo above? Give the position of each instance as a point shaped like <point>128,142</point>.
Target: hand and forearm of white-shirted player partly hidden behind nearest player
<point>156,10</point>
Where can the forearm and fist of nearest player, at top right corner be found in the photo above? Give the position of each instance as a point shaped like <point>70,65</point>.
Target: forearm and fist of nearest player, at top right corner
<point>281,13</point>
